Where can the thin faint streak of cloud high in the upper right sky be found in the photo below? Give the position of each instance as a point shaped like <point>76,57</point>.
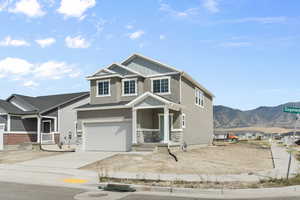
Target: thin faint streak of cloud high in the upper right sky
<point>263,20</point>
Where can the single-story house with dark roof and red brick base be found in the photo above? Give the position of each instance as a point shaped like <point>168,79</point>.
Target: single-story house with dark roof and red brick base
<point>39,119</point>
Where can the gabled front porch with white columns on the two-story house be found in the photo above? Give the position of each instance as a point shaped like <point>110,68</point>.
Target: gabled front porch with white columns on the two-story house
<point>156,120</point>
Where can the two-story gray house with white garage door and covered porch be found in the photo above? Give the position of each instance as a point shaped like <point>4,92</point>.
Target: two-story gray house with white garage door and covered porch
<point>144,101</point>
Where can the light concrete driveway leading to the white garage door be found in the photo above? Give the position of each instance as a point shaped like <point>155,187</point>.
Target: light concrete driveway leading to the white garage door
<point>73,160</point>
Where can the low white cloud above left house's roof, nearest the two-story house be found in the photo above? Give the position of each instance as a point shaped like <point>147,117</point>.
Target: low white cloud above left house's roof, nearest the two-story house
<point>52,70</point>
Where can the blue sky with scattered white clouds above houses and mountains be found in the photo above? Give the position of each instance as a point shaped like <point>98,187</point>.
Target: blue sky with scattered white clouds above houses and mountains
<point>245,51</point>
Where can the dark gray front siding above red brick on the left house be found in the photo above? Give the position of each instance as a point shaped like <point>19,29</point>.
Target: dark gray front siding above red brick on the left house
<point>19,124</point>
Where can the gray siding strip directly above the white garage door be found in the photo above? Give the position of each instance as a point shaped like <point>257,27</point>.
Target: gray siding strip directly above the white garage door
<point>103,115</point>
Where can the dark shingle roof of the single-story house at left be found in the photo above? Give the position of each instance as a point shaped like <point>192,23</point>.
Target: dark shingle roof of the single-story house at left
<point>43,104</point>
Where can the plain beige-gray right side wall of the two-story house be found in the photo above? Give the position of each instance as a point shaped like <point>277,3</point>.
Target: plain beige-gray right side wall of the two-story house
<point>199,121</point>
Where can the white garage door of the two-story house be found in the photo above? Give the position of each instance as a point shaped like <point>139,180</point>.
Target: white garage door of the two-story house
<point>107,136</point>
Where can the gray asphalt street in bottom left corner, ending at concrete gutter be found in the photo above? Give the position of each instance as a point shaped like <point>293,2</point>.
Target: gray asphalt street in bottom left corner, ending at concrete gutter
<point>14,191</point>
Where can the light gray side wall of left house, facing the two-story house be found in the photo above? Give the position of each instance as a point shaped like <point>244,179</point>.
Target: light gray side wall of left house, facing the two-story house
<point>68,117</point>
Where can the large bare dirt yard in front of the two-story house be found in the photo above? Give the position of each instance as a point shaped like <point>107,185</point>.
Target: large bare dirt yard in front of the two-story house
<point>218,160</point>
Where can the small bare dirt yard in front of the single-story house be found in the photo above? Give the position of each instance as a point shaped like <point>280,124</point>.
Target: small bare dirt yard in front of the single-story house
<point>11,157</point>
